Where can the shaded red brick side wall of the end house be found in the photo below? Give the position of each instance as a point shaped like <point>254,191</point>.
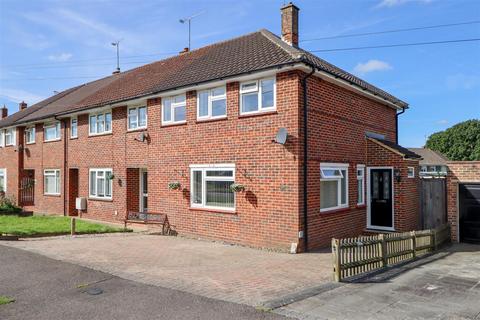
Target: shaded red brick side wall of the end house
<point>338,120</point>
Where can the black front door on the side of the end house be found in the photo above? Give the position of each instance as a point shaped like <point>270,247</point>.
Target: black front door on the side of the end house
<point>381,198</point>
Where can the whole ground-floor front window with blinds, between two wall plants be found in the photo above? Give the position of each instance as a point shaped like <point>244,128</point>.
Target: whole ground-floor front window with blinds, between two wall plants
<point>210,186</point>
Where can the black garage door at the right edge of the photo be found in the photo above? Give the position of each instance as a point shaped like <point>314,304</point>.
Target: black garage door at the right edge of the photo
<point>469,205</point>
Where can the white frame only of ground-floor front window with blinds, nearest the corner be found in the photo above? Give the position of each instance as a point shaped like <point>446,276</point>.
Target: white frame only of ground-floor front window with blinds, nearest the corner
<point>211,167</point>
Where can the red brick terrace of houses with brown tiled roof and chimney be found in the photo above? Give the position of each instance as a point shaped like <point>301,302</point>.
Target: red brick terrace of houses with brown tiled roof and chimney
<point>205,119</point>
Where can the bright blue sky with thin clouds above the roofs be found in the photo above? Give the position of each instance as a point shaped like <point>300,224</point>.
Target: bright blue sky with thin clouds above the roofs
<point>50,45</point>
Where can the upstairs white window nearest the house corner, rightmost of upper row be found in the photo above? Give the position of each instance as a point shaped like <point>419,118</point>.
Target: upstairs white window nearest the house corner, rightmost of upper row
<point>258,96</point>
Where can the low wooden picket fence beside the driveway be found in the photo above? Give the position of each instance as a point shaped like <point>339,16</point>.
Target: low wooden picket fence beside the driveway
<point>356,256</point>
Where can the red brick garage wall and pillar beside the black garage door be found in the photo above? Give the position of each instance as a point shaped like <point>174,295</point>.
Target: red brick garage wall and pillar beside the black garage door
<point>459,172</point>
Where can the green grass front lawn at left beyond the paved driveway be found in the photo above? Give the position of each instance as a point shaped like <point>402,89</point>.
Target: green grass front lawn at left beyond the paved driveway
<point>49,225</point>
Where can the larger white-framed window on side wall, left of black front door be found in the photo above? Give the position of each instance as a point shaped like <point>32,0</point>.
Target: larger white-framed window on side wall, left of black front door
<point>333,186</point>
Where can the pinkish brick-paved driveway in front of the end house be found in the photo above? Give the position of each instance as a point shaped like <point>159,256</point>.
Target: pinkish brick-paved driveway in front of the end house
<point>210,269</point>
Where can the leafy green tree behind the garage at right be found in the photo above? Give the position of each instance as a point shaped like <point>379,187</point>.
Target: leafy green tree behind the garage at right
<point>458,143</point>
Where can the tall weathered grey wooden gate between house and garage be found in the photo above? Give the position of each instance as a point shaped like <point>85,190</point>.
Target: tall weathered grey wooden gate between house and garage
<point>433,196</point>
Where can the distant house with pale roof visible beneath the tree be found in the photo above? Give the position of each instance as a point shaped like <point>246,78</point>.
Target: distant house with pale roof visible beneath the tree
<point>432,164</point>
